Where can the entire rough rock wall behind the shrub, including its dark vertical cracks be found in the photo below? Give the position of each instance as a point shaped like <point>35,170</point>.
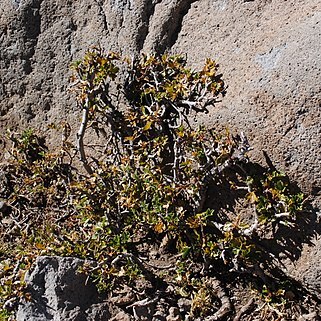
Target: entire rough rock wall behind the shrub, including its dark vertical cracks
<point>268,50</point>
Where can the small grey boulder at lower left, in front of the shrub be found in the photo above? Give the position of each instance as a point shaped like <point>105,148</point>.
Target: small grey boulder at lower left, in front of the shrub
<point>60,293</point>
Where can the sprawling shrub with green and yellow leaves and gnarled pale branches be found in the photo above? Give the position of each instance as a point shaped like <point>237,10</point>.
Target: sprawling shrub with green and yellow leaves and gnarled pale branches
<point>148,185</point>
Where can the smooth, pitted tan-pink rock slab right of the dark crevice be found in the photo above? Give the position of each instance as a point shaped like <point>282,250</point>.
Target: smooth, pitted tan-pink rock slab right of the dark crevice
<point>269,54</point>
